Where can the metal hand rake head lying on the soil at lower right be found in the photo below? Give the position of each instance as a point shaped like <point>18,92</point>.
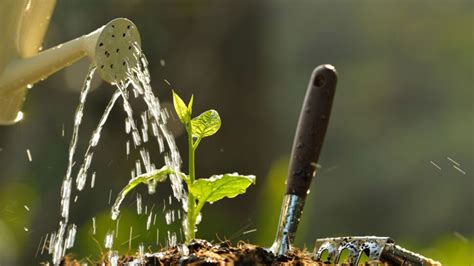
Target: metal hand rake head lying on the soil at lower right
<point>377,250</point>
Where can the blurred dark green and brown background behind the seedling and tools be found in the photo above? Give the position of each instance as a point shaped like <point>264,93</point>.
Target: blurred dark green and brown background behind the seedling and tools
<point>404,100</point>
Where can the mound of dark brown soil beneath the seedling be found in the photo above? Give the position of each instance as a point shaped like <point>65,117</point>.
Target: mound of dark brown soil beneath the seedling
<point>202,252</point>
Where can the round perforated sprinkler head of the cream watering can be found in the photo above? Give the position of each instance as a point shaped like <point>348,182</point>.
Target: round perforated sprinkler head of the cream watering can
<point>117,49</point>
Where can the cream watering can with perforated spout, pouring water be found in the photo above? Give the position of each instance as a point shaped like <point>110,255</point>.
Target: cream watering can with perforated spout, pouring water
<point>23,24</point>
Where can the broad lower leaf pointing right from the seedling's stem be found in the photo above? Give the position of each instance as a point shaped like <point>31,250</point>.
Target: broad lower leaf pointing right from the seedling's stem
<point>219,186</point>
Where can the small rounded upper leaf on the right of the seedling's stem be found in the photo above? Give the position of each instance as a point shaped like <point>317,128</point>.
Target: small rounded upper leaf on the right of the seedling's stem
<point>206,124</point>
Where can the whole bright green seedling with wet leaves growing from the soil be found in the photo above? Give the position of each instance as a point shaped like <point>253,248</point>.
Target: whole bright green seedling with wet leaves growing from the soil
<point>202,190</point>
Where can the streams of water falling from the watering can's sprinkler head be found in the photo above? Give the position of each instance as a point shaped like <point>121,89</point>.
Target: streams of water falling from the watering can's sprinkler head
<point>154,118</point>
